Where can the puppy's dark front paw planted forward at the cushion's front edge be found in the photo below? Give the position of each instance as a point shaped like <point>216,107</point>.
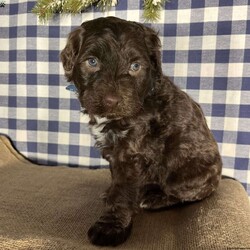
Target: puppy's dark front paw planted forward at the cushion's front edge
<point>109,232</point>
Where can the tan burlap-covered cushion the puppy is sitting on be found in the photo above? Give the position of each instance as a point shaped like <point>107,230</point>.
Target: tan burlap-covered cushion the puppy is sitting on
<point>53,207</point>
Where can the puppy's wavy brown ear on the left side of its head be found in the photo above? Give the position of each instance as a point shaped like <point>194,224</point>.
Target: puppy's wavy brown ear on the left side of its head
<point>70,53</point>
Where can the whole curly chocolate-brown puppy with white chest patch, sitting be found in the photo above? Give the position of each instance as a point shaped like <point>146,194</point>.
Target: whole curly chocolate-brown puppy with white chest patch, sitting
<point>154,135</point>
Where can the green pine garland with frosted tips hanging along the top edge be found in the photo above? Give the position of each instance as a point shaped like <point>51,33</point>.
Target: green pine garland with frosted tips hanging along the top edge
<point>46,9</point>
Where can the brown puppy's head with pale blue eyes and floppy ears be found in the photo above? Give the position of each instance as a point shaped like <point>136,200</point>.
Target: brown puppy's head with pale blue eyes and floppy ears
<point>114,64</point>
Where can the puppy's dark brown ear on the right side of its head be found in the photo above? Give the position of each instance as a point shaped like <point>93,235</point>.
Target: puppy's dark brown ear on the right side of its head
<point>153,44</point>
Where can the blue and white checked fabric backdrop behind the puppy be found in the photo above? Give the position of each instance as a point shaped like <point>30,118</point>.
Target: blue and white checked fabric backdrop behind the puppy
<point>206,51</point>
